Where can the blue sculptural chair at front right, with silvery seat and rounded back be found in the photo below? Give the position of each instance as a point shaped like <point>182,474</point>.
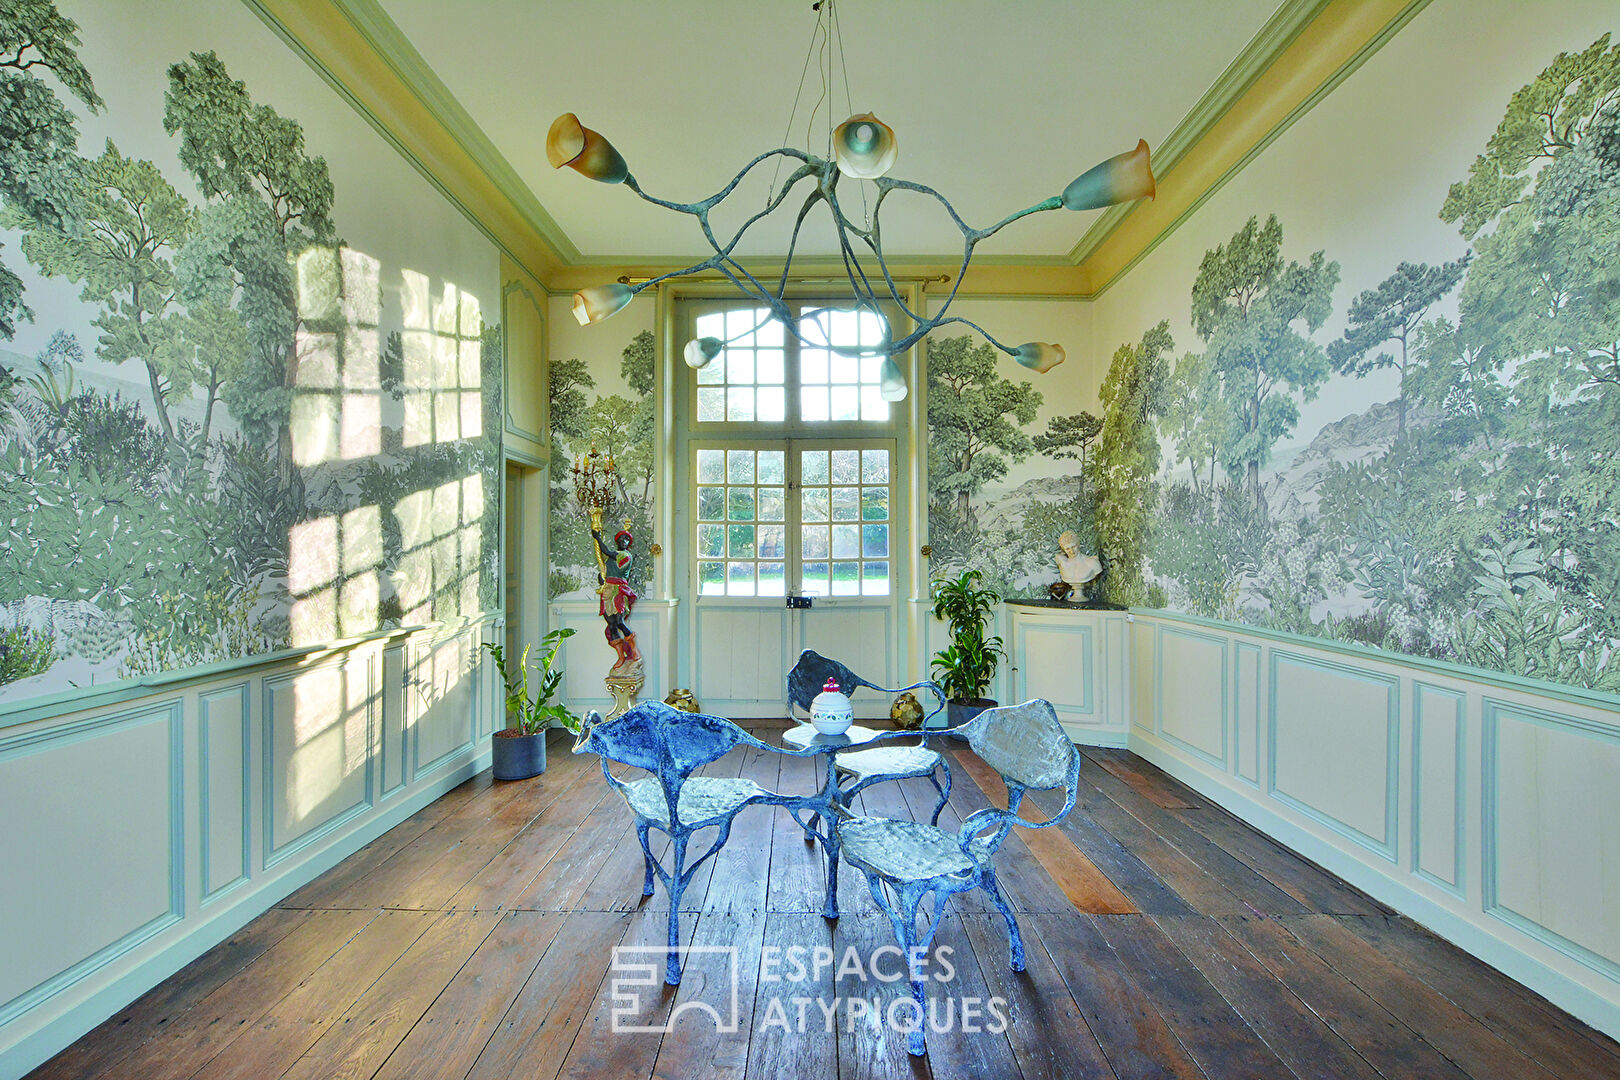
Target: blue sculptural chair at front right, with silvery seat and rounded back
<point>906,861</point>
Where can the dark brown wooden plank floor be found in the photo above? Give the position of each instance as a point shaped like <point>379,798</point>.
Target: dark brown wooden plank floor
<point>1166,940</point>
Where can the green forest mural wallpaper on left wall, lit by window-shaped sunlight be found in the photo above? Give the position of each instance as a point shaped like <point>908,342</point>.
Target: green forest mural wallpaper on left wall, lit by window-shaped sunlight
<point>239,440</point>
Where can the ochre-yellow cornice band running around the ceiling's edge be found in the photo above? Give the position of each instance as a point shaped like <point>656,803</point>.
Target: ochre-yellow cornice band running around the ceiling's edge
<point>1298,57</point>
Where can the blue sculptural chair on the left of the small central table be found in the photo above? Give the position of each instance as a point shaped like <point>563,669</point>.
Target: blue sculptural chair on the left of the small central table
<point>673,746</point>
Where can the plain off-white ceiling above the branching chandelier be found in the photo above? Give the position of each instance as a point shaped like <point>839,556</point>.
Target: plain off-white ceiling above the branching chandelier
<point>995,104</point>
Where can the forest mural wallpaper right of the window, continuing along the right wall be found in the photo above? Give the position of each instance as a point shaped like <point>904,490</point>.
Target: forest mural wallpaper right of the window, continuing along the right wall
<point>1472,519</point>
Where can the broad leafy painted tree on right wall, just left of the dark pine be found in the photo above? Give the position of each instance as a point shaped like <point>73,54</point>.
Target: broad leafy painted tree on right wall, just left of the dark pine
<point>1255,313</point>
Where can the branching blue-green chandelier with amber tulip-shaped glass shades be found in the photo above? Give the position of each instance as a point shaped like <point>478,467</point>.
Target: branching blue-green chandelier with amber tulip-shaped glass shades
<point>861,150</point>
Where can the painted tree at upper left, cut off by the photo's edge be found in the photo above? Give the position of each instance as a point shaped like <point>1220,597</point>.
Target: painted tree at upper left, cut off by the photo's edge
<point>40,168</point>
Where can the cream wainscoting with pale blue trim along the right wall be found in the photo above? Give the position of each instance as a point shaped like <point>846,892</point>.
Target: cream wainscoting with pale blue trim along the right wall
<point>1485,807</point>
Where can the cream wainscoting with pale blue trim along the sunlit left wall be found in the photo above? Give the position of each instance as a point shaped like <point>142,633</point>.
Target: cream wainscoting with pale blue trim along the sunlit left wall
<point>139,833</point>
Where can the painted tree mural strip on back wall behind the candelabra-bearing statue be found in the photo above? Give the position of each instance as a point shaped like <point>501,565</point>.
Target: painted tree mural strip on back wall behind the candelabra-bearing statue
<point>620,427</point>
